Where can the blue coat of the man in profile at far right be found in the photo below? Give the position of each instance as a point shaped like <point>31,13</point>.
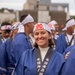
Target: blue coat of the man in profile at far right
<point>61,44</point>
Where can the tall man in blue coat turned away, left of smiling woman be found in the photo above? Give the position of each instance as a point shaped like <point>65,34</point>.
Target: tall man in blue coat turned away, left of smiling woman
<point>21,42</point>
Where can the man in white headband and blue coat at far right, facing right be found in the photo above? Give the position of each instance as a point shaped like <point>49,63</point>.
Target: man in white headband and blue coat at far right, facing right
<point>66,39</point>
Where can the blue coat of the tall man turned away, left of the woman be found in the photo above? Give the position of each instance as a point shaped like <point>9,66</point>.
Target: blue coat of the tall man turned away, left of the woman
<point>20,44</point>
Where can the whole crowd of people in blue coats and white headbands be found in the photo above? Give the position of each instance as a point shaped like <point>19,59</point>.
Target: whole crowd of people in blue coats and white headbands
<point>29,48</point>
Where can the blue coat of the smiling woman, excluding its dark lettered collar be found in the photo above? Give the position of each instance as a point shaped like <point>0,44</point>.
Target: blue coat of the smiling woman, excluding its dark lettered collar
<point>27,64</point>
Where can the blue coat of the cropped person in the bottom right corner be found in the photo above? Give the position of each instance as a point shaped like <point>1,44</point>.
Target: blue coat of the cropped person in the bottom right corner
<point>69,66</point>
